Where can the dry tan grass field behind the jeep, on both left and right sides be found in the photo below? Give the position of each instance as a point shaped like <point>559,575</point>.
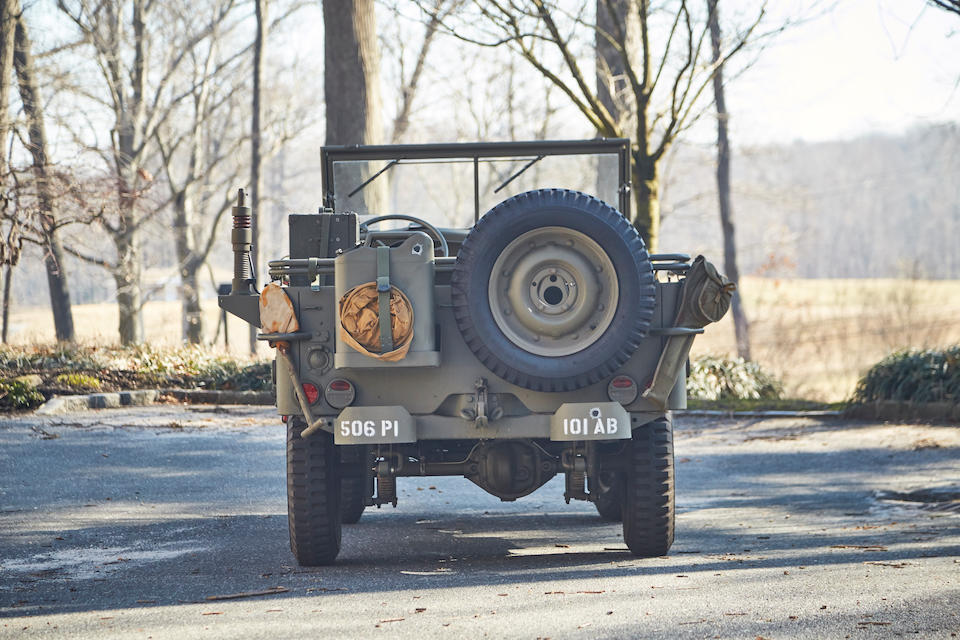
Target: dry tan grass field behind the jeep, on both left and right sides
<point>818,336</point>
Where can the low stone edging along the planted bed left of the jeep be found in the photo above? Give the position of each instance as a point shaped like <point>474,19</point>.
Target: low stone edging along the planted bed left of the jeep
<point>66,404</point>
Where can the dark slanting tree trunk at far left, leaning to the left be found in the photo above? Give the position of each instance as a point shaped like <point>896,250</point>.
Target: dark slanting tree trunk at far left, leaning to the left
<point>54,258</point>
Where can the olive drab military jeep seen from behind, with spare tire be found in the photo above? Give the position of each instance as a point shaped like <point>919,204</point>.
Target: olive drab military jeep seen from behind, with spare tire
<point>432,339</point>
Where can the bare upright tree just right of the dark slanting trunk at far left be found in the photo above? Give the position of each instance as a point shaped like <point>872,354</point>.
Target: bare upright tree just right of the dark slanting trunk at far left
<point>140,91</point>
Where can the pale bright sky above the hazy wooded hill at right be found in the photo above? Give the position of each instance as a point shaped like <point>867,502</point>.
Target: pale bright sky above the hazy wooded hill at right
<point>864,66</point>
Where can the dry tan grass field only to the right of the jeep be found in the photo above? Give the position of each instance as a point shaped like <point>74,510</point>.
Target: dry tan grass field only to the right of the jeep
<point>820,336</point>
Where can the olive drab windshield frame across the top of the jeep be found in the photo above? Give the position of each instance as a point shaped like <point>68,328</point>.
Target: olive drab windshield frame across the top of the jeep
<point>476,151</point>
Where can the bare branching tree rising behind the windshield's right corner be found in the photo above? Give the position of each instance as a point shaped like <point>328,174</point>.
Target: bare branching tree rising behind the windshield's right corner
<point>665,73</point>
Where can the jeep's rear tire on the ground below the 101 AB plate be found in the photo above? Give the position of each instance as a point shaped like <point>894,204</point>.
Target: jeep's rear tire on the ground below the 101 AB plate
<point>648,497</point>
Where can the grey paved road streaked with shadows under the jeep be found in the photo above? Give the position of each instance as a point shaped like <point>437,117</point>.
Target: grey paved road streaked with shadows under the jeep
<point>120,524</point>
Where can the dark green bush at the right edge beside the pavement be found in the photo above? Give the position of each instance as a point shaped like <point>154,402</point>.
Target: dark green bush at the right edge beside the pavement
<point>931,375</point>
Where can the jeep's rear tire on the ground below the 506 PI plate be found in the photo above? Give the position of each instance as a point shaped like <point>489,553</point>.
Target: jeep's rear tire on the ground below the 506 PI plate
<point>313,495</point>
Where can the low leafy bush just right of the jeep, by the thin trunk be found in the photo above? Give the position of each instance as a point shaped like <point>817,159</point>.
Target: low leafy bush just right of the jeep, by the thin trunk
<point>719,378</point>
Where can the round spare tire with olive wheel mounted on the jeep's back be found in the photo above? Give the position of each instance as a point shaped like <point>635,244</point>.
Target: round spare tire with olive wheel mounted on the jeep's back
<point>553,290</point>
